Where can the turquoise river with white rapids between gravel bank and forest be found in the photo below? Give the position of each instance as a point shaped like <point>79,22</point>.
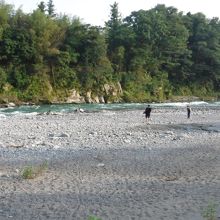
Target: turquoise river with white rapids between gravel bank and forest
<point>67,108</point>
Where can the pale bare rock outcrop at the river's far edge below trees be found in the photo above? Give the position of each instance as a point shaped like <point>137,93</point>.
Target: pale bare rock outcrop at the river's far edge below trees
<point>110,93</point>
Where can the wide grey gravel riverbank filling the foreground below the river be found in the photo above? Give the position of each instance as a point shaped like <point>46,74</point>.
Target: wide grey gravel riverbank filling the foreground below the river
<point>111,164</point>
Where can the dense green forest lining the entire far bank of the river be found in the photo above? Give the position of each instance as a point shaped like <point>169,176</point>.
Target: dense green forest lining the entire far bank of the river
<point>150,55</point>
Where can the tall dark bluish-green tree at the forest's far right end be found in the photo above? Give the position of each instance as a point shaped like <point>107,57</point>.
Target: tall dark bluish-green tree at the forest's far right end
<point>204,41</point>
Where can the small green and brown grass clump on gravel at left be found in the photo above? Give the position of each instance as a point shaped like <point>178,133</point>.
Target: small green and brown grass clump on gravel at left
<point>31,172</point>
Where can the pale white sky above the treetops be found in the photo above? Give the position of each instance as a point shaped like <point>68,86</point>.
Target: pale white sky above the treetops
<point>96,12</point>
